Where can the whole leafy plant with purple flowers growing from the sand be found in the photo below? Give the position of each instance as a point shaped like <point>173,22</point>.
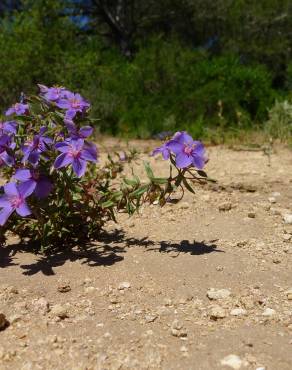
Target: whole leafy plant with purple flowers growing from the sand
<point>58,195</point>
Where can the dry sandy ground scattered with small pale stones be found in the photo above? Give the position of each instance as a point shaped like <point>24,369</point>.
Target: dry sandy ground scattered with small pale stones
<point>203,284</point>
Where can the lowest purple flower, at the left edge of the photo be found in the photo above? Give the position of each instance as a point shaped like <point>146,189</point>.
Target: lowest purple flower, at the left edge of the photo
<point>14,200</point>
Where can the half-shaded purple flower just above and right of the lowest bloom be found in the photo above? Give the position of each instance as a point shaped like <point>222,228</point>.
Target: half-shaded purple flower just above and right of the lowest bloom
<point>40,184</point>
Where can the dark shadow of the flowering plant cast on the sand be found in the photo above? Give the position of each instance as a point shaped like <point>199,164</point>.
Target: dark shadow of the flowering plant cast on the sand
<point>106,252</point>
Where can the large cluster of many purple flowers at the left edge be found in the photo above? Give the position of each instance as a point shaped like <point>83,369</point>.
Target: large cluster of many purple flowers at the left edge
<point>35,151</point>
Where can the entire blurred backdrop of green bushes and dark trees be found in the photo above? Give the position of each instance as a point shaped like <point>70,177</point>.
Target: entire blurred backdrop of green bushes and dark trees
<point>159,66</point>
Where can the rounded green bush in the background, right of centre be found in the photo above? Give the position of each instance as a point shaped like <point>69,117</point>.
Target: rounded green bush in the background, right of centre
<point>168,86</point>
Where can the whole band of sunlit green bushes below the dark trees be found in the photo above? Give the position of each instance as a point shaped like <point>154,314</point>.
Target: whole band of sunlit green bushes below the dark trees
<point>167,85</point>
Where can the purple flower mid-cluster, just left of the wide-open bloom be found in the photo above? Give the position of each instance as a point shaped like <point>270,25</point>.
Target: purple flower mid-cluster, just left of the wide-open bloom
<point>32,149</point>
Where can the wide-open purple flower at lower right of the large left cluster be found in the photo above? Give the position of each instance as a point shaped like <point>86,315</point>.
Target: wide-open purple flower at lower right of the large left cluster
<point>75,153</point>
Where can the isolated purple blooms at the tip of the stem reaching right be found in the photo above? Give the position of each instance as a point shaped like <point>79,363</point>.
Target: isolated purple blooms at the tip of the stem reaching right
<point>187,151</point>
